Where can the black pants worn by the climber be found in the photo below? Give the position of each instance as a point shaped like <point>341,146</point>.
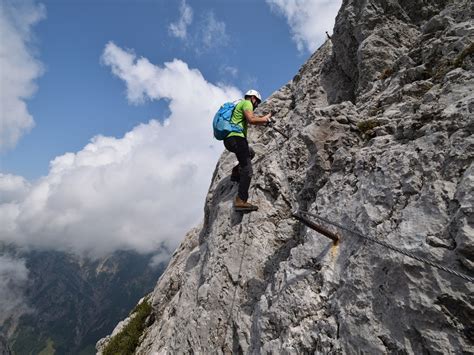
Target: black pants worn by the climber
<point>244,153</point>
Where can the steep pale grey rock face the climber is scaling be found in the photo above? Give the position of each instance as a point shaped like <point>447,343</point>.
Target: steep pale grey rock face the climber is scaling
<point>381,125</point>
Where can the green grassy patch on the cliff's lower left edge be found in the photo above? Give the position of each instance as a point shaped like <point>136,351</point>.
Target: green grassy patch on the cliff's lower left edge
<point>127,340</point>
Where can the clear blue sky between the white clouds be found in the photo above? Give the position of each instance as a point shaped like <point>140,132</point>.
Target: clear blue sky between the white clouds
<point>77,97</point>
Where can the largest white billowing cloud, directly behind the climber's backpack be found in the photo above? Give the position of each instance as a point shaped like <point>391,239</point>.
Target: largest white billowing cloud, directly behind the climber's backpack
<point>142,191</point>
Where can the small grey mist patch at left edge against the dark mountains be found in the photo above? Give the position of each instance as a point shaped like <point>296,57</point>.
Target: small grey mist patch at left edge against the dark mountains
<point>13,280</point>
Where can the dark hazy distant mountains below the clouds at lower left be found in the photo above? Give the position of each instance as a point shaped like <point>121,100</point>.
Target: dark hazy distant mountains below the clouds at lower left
<point>73,302</point>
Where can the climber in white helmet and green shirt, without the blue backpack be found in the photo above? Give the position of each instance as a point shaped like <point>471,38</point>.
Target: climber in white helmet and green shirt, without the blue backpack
<point>236,142</point>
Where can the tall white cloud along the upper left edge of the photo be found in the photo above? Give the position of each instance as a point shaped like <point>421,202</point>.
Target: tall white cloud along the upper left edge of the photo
<point>18,68</point>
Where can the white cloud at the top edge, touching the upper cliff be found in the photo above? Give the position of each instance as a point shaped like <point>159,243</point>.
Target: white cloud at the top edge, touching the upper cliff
<point>308,20</point>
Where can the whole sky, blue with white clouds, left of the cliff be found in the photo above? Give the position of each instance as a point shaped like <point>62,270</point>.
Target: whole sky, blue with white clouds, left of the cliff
<point>99,98</point>
